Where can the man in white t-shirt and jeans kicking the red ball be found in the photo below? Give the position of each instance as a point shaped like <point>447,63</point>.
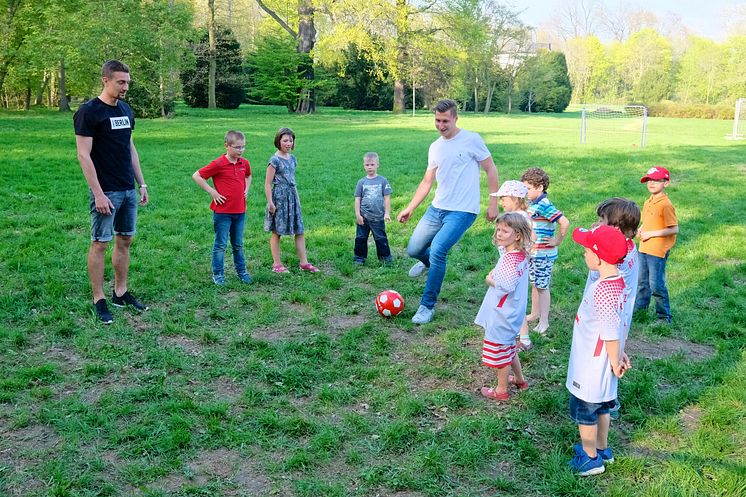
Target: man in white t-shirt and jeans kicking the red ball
<point>453,162</point>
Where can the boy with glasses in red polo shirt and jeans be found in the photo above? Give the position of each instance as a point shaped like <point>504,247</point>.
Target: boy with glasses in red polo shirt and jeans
<point>231,177</point>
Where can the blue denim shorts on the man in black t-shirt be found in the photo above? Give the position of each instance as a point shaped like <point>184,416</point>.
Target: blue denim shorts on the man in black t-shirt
<point>122,220</point>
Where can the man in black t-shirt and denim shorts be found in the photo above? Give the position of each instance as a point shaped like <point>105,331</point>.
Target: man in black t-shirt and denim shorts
<point>107,155</point>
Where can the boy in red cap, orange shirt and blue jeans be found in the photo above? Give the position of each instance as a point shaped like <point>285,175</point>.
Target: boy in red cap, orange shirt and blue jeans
<point>657,235</point>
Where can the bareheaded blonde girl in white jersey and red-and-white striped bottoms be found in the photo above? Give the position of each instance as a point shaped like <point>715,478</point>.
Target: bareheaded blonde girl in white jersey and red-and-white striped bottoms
<point>504,305</point>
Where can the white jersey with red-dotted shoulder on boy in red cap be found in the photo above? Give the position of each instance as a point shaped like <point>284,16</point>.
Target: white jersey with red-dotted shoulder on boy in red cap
<point>589,374</point>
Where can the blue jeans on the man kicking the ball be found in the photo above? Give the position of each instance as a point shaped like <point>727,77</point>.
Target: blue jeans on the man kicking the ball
<point>435,234</point>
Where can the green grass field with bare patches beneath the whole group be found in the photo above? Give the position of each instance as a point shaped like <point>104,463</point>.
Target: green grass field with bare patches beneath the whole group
<point>294,385</point>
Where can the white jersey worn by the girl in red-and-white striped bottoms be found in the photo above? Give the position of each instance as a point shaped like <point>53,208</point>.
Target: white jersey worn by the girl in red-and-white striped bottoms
<point>504,305</point>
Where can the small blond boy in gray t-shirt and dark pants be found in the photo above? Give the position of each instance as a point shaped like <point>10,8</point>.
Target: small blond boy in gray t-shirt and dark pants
<point>372,211</point>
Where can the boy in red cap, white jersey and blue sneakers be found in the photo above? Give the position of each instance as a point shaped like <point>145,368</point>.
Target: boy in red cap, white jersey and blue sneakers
<point>596,356</point>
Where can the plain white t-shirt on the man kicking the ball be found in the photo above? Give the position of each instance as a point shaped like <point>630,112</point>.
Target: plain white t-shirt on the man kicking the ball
<point>457,160</point>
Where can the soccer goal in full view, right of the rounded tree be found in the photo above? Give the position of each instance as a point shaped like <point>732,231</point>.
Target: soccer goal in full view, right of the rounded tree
<point>618,124</point>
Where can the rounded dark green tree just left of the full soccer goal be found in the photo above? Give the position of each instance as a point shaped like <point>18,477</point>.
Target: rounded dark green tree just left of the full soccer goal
<point>544,84</point>
